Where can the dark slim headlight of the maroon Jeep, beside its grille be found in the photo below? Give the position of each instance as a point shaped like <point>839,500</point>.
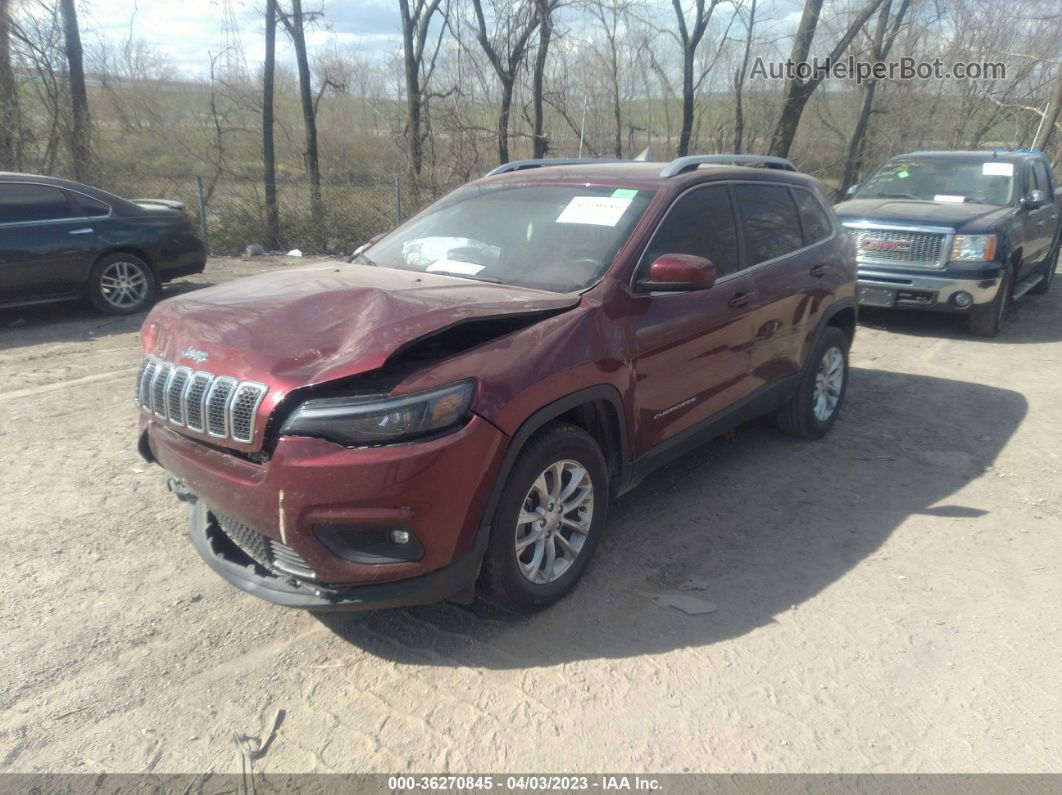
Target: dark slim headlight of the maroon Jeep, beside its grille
<point>363,422</point>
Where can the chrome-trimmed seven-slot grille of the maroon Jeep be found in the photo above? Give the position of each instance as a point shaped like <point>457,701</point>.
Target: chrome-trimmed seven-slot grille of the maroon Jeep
<point>220,407</point>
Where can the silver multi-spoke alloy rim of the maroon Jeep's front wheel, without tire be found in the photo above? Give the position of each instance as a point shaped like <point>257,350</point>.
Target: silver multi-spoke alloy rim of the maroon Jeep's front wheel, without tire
<point>555,522</point>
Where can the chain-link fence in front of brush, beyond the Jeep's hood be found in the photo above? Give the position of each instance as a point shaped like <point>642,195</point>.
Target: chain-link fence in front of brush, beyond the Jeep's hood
<point>232,213</point>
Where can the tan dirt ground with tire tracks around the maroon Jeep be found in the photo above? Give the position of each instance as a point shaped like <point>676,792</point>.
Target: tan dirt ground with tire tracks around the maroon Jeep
<point>888,598</point>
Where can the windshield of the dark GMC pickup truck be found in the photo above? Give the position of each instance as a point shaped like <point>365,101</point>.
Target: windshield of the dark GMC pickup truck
<point>981,181</point>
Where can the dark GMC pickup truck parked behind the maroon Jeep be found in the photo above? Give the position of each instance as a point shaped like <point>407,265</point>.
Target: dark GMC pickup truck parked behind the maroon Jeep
<point>956,232</point>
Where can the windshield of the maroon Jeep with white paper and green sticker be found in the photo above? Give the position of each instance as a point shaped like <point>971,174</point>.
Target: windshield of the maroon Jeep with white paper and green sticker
<point>557,238</point>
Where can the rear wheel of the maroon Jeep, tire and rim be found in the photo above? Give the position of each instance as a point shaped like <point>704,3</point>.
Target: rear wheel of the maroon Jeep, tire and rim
<point>814,408</point>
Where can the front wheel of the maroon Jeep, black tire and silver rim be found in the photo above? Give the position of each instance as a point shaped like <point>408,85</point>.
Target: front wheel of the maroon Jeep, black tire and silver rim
<point>550,521</point>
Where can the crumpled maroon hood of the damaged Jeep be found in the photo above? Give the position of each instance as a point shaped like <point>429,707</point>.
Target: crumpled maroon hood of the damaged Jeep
<point>316,324</point>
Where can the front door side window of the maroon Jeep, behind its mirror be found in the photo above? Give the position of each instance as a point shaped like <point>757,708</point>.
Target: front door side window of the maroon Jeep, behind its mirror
<point>700,223</point>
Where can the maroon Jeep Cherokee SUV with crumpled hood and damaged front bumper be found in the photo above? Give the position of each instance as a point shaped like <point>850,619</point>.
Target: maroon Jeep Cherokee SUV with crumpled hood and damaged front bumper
<point>458,406</point>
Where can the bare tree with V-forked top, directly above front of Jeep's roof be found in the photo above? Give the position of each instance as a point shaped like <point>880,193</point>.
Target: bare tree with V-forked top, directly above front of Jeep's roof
<point>507,50</point>
